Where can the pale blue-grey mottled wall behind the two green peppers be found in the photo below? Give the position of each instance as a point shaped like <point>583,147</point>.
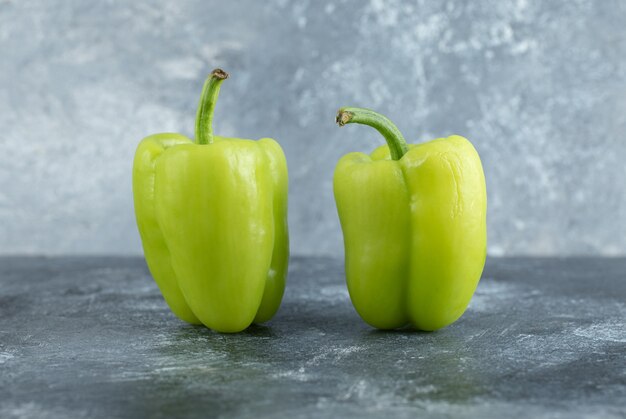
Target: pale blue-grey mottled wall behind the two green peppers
<point>539,87</point>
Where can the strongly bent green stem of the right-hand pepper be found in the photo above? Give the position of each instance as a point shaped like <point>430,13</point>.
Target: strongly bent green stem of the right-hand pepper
<point>393,136</point>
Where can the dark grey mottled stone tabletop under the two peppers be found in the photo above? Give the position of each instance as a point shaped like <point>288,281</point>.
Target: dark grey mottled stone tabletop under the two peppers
<point>91,337</point>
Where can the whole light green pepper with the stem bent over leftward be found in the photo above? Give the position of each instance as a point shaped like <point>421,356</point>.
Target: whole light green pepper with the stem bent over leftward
<point>414,225</point>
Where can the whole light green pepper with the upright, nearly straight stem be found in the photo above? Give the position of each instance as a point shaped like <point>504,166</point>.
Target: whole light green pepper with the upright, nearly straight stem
<point>212,216</point>
